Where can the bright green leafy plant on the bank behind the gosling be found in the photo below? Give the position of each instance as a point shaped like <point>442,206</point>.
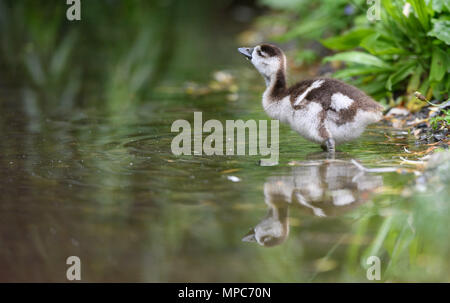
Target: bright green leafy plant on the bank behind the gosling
<point>405,51</point>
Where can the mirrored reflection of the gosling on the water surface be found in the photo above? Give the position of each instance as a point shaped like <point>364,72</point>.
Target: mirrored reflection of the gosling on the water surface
<point>323,188</point>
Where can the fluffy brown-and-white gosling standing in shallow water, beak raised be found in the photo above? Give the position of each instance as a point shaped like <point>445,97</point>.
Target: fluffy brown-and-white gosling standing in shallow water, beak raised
<point>325,111</point>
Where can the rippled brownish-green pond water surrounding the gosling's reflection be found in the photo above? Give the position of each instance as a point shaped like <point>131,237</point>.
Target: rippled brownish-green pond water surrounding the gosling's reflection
<point>109,190</point>
